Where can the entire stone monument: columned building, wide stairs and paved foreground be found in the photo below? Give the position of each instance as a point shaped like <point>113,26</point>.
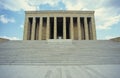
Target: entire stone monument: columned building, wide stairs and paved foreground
<point>43,55</point>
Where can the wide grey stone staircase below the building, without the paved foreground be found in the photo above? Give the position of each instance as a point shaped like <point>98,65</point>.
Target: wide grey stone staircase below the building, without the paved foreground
<point>60,52</point>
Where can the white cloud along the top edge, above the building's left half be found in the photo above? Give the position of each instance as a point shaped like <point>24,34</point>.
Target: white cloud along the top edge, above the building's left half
<point>18,5</point>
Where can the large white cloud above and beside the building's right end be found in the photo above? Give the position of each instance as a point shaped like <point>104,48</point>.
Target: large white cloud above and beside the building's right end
<point>105,16</point>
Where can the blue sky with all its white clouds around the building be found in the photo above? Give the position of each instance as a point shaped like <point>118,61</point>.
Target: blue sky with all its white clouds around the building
<point>12,15</point>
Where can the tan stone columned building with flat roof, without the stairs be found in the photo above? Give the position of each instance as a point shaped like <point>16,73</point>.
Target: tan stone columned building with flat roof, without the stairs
<point>74,25</point>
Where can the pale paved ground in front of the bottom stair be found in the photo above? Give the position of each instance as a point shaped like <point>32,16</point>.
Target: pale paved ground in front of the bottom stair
<point>81,71</point>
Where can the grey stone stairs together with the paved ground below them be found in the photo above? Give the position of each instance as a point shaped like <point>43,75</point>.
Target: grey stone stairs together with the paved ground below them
<point>60,59</point>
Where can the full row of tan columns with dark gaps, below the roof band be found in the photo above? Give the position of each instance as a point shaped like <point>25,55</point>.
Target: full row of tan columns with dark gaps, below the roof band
<point>44,28</point>
